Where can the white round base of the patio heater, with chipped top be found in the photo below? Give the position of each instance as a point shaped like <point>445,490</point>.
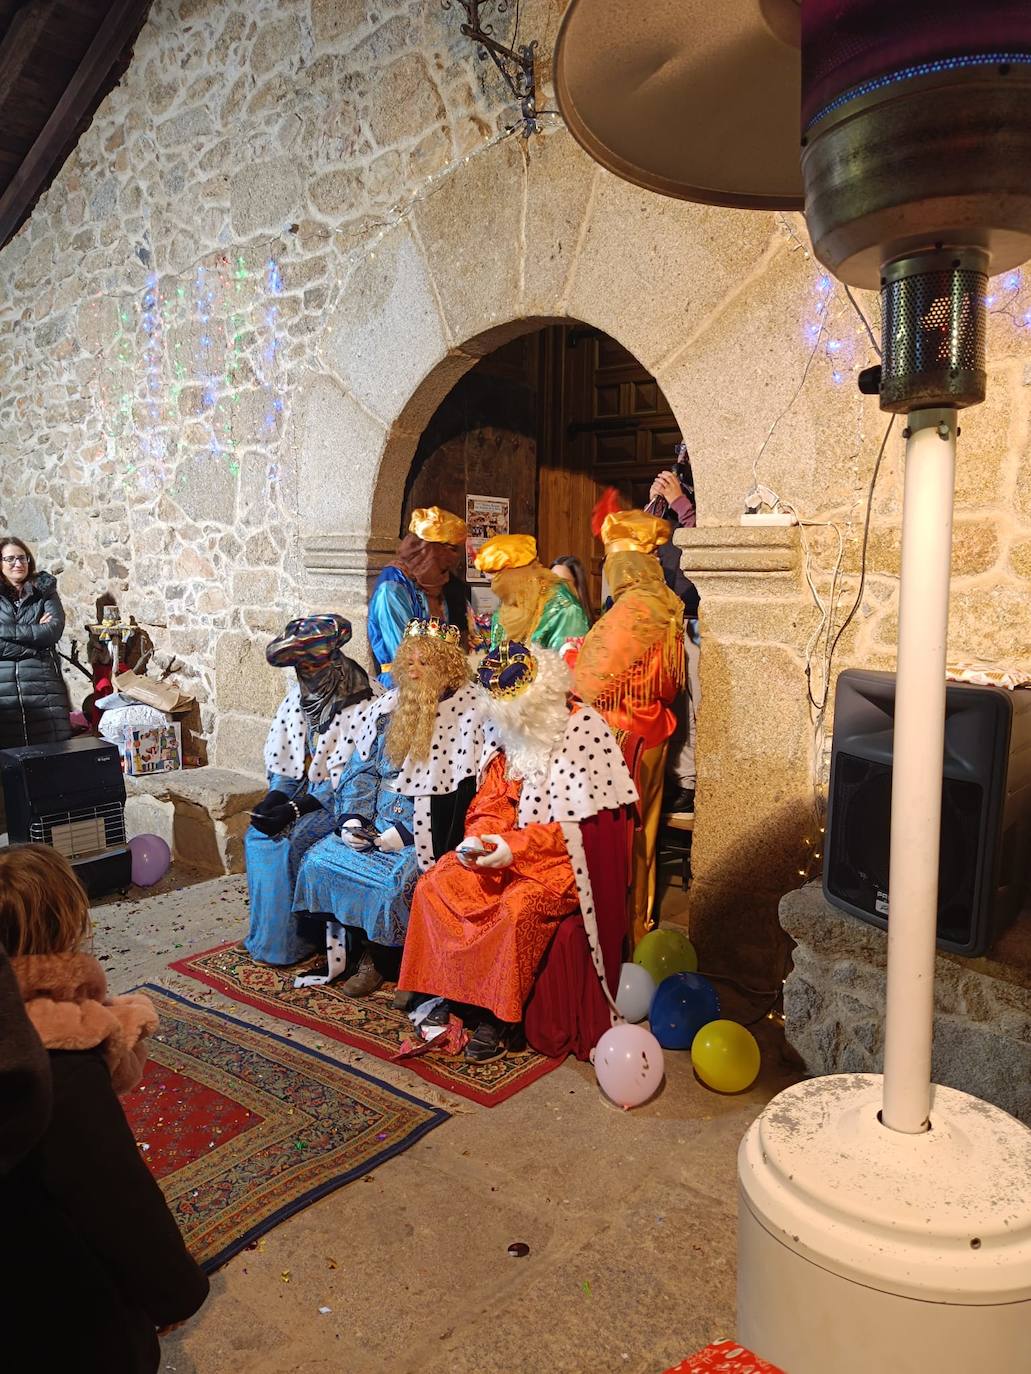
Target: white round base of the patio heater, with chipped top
<point>865,1250</point>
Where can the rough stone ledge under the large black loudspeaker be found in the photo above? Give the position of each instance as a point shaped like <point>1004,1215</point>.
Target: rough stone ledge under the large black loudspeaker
<point>834,1005</point>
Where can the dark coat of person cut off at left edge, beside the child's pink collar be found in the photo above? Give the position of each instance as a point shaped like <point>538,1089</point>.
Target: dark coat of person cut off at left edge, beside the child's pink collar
<point>24,1075</point>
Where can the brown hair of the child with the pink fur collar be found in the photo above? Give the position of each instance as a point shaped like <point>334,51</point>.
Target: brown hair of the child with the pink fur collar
<point>43,908</point>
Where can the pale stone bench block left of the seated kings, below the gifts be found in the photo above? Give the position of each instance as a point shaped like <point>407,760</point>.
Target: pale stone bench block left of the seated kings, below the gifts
<point>200,813</point>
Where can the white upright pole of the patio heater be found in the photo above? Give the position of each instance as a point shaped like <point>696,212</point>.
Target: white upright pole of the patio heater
<point>918,761</point>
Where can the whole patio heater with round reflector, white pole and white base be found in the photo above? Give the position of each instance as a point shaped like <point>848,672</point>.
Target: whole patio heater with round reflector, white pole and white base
<point>885,1221</point>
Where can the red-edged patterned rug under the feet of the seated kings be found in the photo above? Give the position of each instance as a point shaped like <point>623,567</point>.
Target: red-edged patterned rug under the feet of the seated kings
<point>369,1023</point>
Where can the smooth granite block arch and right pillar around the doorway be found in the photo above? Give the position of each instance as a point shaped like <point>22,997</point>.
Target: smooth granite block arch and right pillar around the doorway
<point>515,238</point>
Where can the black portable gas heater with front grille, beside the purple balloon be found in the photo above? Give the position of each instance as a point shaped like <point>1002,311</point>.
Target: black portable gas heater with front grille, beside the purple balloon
<point>71,796</point>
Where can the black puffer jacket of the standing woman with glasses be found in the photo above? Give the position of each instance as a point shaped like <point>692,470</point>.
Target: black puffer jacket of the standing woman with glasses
<point>34,699</point>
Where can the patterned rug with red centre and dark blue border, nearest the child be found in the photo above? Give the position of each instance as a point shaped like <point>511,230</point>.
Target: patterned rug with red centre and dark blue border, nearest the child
<point>243,1129</point>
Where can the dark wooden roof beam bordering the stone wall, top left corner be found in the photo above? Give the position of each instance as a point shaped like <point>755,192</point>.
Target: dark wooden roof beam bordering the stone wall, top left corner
<point>123,20</point>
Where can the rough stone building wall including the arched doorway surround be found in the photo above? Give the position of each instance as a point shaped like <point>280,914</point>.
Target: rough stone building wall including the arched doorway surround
<point>287,236</point>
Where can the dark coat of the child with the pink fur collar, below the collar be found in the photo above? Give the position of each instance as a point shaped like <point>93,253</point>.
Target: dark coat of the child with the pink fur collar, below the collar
<point>93,1263</point>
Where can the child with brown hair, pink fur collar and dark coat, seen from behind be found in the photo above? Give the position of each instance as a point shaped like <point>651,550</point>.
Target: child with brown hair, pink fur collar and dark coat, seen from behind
<point>94,1263</point>
